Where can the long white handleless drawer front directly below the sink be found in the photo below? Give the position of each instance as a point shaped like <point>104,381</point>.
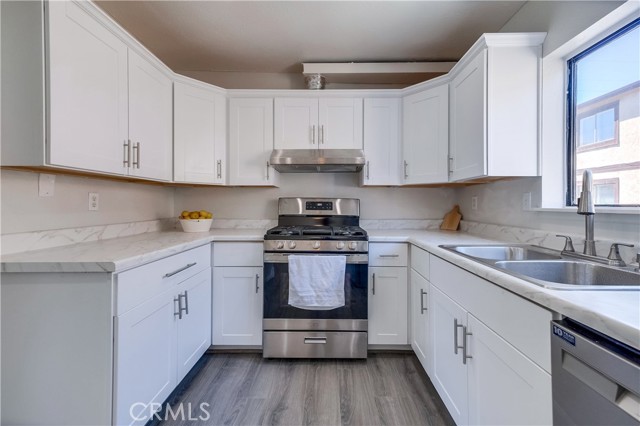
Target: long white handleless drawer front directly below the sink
<point>520,322</point>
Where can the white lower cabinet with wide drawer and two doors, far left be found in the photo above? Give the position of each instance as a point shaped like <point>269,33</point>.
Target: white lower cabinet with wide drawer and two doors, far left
<point>161,330</point>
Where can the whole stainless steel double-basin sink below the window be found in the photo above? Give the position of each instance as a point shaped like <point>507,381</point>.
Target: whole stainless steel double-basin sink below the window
<point>549,268</point>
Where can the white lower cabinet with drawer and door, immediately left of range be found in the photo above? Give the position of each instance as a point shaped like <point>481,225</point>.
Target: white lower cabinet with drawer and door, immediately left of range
<point>237,294</point>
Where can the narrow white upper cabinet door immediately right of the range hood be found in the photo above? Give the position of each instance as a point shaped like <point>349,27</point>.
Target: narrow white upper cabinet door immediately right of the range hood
<point>381,142</point>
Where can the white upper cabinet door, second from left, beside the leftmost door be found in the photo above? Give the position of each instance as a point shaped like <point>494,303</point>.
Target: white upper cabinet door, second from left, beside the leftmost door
<point>150,119</point>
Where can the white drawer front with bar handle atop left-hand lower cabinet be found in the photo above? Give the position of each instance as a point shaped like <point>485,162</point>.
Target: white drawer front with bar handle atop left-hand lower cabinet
<point>140,284</point>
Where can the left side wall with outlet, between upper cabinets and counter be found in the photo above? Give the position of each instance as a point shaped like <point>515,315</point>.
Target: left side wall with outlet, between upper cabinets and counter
<point>22,210</point>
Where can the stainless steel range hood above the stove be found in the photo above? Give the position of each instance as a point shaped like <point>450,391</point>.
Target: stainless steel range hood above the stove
<point>317,160</point>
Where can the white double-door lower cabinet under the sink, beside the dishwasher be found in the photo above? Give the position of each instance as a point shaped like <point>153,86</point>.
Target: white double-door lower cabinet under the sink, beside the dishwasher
<point>490,366</point>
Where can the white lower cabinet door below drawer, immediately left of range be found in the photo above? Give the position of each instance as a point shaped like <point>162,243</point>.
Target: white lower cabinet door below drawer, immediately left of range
<point>237,306</point>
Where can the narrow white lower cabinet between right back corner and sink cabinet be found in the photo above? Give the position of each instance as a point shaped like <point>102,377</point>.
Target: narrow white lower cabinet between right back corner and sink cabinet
<point>419,297</point>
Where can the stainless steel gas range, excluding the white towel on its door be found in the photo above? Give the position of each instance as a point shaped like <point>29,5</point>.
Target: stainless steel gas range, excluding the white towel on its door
<point>315,227</point>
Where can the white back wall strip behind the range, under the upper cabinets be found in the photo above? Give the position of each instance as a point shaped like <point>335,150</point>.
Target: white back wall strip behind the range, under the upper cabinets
<point>261,203</point>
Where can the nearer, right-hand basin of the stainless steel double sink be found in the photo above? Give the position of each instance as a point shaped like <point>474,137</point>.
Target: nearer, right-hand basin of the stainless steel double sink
<point>573,273</point>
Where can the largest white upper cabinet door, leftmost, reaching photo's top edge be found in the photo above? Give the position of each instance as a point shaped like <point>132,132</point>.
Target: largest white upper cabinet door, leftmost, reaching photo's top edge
<point>87,91</point>
